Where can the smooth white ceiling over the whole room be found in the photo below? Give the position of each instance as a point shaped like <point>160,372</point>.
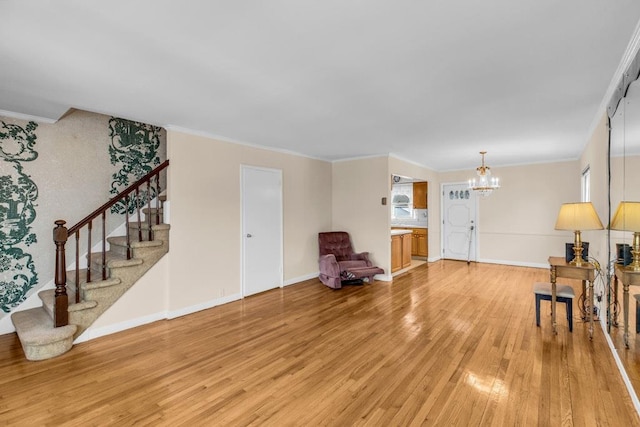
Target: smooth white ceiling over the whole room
<point>431,81</point>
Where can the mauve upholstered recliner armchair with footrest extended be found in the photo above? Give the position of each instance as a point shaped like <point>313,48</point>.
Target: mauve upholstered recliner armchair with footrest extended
<point>338,262</point>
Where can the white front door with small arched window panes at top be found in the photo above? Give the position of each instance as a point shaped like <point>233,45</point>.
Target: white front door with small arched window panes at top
<point>459,231</point>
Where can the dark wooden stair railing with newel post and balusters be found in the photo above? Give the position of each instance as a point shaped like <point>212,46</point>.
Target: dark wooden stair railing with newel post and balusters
<point>61,235</point>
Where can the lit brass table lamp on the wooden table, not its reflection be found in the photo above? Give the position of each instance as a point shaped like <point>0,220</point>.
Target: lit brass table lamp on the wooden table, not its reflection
<point>577,217</point>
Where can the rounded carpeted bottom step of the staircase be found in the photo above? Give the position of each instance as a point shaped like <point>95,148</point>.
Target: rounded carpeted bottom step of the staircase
<point>39,339</point>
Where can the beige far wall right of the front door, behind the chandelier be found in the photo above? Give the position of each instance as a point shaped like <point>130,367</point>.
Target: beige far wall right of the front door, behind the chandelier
<point>516,223</point>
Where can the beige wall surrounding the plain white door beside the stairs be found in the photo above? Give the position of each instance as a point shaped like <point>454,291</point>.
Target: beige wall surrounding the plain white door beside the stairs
<point>205,200</point>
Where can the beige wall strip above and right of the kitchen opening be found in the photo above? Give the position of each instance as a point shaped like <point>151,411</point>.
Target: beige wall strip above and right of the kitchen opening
<point>404,168</point>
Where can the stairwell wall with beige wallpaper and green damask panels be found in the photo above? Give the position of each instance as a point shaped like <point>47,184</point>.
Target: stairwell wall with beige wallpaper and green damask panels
<point>78,163</point>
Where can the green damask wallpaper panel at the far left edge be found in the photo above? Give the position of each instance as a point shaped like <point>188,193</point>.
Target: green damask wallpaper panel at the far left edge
<point>17,211</point>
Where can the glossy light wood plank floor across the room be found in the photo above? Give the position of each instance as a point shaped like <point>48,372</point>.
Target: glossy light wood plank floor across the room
<point>444,344</point>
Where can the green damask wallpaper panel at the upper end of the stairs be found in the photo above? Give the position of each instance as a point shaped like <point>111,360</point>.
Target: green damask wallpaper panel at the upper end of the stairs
<point>134,147</point>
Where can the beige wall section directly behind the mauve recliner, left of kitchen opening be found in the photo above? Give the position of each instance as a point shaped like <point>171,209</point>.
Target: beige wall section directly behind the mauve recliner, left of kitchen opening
<point>358,188</point>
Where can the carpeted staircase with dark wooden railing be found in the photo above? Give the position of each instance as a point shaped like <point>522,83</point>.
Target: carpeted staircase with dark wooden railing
<point>116,269</point>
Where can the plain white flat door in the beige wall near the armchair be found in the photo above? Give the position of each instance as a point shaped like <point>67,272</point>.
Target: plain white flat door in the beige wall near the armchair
<point>261,229</point>
